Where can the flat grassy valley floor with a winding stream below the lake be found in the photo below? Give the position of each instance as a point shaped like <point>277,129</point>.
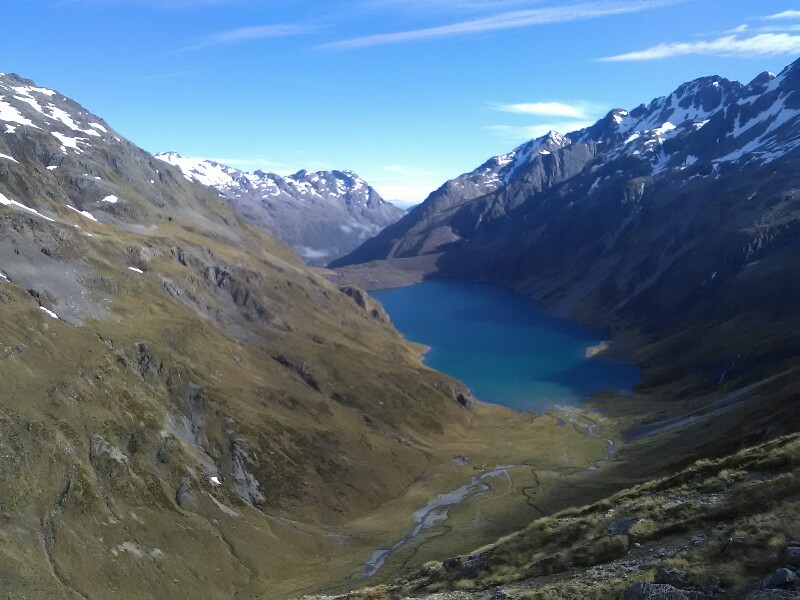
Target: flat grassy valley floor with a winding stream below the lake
<point>521,466</point>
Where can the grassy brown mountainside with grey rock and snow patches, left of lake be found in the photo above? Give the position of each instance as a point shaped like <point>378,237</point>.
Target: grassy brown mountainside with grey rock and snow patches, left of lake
<point>183,403</point>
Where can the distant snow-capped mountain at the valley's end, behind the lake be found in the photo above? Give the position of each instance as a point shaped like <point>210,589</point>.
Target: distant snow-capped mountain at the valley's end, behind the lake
<point>321,215</point>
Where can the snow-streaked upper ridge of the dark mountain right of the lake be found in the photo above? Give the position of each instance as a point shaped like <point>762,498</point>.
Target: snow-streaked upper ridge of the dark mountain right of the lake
<point>703,128</point>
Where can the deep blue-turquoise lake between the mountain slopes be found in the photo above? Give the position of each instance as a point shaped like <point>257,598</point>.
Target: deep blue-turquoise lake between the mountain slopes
<point>501,345</point>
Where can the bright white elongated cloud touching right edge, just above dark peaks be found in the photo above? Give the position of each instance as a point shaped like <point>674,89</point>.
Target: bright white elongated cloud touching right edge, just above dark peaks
<point>764,44</point>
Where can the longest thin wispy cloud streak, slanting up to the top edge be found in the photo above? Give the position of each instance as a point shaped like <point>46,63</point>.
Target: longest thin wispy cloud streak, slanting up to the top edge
<point>504,21</point>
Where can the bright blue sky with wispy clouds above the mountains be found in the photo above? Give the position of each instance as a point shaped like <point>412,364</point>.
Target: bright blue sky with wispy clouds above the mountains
<point>407,93</point>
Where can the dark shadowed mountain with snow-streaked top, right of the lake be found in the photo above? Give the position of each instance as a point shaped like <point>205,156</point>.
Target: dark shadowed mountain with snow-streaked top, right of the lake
<point>681,212</point>
